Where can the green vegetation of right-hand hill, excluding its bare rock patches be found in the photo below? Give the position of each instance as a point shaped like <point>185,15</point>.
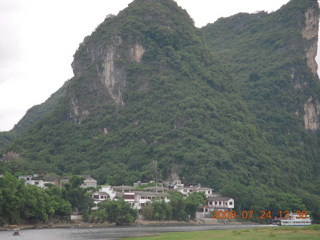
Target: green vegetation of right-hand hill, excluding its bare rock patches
<point>265,54</point>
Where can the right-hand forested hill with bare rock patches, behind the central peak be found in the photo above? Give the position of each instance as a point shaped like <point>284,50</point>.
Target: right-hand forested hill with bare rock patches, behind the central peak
<point>272,57</point>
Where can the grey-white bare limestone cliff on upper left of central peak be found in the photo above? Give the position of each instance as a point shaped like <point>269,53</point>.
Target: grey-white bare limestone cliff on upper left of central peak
<point>108,78</point>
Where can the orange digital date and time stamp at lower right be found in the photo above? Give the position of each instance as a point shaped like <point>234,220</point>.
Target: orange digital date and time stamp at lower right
<point>263,214</point>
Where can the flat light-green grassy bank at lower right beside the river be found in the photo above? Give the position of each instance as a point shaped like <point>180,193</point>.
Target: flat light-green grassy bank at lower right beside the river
<point>308,233</point>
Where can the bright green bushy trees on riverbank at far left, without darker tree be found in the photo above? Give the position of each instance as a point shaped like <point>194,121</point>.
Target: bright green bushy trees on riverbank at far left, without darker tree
<point>26,203</point>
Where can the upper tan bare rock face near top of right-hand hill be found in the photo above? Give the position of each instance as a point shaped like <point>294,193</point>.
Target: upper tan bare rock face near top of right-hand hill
<point>310,33</point>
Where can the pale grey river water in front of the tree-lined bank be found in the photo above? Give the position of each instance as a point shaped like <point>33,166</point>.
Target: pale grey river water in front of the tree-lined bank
<point>108,233</point>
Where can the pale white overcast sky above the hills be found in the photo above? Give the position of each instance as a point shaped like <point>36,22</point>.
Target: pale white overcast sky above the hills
<point>39,37</point>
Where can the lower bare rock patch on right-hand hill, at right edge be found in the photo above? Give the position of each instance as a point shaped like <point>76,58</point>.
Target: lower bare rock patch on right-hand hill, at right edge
<point>311,114</point>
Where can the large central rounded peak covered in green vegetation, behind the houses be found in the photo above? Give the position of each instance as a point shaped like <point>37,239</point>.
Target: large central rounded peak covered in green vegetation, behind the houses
<point>146,88</point>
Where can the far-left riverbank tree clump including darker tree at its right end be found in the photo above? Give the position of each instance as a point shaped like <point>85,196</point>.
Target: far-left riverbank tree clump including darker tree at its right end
<point>20,203</point>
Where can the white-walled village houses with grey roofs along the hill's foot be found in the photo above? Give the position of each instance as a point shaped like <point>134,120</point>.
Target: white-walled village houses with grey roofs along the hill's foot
<point>138,199</point>
